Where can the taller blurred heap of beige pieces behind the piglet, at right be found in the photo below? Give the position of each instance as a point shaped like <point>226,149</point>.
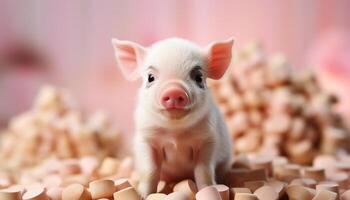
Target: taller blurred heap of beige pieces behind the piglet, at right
<point>272,110</point>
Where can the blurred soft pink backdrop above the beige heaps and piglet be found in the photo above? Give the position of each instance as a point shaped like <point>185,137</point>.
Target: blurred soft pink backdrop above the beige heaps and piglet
<point>68,43</point>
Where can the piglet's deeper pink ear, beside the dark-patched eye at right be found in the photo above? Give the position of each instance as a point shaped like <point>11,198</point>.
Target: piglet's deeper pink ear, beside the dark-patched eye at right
<point>219,58</point>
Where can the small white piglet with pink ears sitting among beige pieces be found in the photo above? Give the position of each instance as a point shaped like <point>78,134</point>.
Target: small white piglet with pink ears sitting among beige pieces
<point>180,132</point>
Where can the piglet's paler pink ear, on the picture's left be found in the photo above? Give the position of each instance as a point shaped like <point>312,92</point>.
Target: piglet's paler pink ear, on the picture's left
<point>130,57</point>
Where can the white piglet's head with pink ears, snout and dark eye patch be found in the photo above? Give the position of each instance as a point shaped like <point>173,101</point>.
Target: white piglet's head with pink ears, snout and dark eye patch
<point>174,73</point>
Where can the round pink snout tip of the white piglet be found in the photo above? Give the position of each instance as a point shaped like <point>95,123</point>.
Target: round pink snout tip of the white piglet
<point>174,97</point>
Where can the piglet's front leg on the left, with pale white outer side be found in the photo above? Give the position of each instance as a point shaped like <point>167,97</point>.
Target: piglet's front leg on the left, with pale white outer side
<point>148,168</point>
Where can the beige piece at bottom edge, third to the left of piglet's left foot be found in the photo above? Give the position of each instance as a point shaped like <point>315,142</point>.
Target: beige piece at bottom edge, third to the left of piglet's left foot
<point>76,191</point>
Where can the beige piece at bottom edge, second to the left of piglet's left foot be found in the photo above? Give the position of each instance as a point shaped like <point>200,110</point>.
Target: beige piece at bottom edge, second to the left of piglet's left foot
<point>101,189</point>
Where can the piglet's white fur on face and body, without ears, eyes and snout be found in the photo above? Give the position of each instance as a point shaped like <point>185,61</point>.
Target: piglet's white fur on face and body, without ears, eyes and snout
<point>196,146</point>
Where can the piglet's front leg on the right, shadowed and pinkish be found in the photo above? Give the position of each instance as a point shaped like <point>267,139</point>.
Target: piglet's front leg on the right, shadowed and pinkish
<point>204,172</point>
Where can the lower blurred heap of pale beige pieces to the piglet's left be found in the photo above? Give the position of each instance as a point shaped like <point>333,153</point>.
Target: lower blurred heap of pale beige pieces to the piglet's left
<point>55,127</point>
